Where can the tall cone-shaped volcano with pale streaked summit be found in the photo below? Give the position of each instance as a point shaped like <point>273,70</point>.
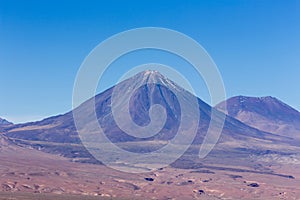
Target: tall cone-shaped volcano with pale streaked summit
<point>150,88</point>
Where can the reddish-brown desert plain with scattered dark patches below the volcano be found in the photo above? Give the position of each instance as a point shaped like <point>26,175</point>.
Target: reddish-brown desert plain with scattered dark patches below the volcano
<point>32,174</point>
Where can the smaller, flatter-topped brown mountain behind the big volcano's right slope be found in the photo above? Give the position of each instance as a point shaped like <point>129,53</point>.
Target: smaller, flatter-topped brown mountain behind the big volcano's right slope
<point>265,113</point>
